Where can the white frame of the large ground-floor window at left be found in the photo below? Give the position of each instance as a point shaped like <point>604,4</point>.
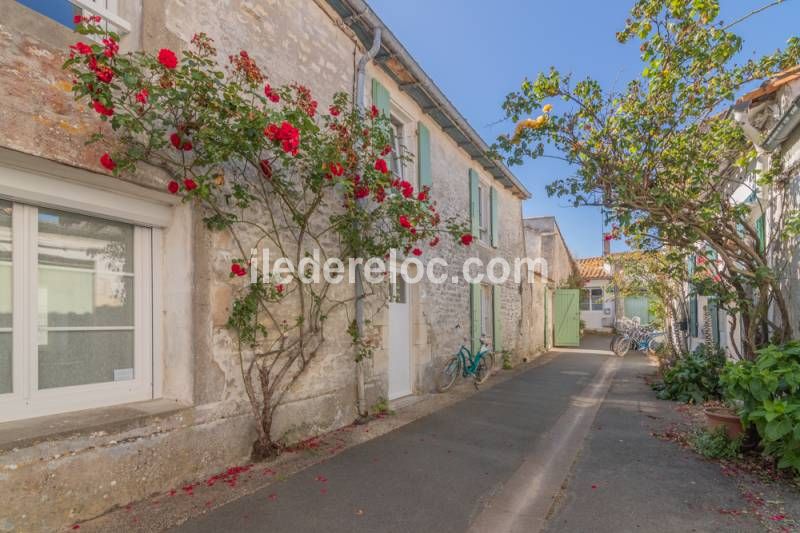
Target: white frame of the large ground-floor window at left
<point>28,191</point>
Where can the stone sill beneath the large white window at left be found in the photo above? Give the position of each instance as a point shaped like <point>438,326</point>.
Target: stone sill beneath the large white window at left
<point>118,418</point>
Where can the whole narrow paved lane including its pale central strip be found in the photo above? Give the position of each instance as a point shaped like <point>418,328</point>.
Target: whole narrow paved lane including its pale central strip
<point>565,446</point>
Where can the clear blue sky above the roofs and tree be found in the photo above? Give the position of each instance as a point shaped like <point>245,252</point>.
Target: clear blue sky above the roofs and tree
<point>479,51</point>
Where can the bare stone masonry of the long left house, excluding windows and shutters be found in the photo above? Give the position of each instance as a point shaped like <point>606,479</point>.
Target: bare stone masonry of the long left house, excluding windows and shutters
<point>52,483</point>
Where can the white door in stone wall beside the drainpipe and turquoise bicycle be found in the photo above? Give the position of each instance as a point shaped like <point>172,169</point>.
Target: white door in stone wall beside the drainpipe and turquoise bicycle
<point>399,342</point>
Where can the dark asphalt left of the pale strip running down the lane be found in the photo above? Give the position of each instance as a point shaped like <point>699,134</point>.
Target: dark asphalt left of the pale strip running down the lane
<point>435,474</point>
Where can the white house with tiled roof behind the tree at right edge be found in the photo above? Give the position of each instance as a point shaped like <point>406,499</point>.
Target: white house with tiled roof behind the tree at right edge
<point>770,118</point>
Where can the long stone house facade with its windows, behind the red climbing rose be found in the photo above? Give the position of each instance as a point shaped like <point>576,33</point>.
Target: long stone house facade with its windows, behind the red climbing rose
<point>178,412</point>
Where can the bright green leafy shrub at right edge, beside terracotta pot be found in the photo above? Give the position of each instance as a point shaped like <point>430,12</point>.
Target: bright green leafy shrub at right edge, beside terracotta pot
<point>769,391</point>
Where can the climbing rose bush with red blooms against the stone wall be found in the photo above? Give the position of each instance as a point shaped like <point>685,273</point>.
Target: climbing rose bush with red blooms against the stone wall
<point>262,164</point>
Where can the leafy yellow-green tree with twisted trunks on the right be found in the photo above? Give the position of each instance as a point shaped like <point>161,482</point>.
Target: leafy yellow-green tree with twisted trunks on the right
<point>664,155</point>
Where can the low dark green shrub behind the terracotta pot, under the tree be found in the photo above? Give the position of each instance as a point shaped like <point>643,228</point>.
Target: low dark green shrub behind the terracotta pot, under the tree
<point>693,378</point>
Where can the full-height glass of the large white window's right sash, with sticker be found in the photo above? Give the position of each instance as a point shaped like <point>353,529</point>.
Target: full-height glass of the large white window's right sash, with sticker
<point>85,283</point>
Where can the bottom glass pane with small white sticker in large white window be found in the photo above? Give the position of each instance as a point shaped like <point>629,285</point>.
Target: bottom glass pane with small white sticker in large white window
<point>84,357</point>
